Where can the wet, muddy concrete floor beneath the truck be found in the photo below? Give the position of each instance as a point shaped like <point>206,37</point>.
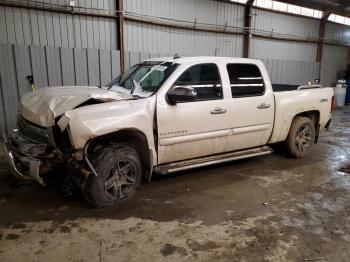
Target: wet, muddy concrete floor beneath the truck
<point>269,208</point>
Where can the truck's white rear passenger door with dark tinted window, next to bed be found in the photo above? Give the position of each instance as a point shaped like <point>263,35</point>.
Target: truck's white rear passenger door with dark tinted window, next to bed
<point>251,107</point>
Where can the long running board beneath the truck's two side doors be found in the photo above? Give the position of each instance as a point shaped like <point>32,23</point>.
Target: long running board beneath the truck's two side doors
<point>210,160</point>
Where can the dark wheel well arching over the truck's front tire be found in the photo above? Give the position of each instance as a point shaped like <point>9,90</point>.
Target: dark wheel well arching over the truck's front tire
<point>131,137</point>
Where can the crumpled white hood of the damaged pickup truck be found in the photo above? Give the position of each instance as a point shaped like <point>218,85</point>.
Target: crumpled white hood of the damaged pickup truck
<point>43,105</point>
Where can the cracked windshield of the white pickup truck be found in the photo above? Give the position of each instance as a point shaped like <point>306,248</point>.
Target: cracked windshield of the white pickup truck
<point>142,80</point>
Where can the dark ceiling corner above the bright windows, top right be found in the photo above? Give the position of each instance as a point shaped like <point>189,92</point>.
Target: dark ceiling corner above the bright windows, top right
<point>340,7</point>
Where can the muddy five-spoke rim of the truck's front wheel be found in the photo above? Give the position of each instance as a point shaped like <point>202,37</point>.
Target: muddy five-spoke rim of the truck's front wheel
<point>121,180</point>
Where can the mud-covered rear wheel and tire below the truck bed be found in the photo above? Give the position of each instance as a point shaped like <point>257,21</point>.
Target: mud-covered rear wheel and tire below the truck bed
<point>301,136</point>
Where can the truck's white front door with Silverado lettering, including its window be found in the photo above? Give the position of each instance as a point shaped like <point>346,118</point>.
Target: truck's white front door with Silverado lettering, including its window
<point>196,128</point>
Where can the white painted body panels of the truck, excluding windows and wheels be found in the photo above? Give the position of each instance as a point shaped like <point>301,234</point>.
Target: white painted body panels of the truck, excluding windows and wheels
<point>186,130</point>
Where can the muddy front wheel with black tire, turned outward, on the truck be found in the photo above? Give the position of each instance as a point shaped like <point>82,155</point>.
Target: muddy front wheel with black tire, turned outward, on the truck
<point>119,172</point>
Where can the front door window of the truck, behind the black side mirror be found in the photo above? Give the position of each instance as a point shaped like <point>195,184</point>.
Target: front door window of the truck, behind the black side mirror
<point>204,79</point>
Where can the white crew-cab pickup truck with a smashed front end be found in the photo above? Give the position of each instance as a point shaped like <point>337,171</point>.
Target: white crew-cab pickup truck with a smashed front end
<point>162,115</point>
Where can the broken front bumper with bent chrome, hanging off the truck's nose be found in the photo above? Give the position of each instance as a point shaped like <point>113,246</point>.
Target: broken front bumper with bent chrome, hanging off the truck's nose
<point>27,158</point>
